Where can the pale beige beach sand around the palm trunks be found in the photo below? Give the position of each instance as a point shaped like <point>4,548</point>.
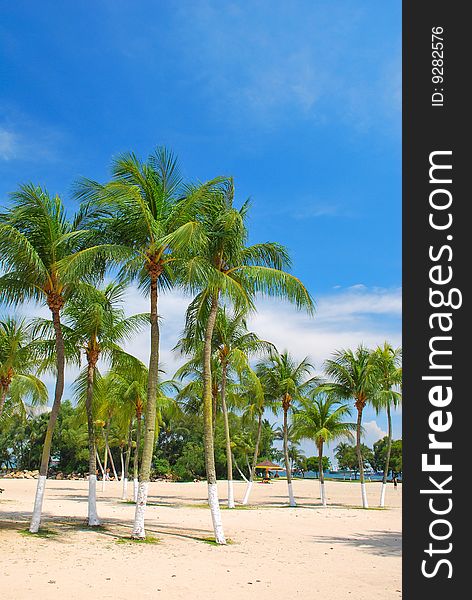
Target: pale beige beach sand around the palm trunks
<point>336,553</point>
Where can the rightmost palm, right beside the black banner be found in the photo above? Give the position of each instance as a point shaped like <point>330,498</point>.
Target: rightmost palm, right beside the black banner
<point>388,371</point>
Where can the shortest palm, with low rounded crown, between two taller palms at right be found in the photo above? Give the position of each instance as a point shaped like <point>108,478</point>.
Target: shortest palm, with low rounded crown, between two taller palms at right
<point>321,419</point>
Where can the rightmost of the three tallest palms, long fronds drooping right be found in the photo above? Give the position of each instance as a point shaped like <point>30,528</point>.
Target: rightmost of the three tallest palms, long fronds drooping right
<point>232,271</point>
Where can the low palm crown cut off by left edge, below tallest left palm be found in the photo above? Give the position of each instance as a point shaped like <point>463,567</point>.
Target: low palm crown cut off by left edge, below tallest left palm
<point>18,366</point>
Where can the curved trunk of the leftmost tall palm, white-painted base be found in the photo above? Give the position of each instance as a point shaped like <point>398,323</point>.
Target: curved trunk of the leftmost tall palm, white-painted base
<point>59,389</point>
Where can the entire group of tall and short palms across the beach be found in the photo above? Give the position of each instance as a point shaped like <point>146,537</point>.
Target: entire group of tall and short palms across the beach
<point>147,226</point>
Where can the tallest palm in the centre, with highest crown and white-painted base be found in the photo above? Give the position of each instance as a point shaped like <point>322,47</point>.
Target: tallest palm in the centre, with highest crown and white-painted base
<point>145,209</point>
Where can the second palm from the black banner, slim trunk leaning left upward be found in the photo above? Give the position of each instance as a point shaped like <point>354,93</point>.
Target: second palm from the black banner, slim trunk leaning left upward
<point>352,377</point>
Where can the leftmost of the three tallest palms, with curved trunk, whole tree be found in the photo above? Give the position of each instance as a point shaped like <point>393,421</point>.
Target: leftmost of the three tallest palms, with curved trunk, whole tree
<point>44,258</point>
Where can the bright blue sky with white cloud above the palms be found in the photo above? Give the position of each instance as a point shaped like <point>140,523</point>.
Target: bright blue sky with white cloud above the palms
<point>300,102</point>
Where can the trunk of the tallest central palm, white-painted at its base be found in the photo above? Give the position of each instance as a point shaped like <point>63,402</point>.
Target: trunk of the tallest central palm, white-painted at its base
<point>150,416</point>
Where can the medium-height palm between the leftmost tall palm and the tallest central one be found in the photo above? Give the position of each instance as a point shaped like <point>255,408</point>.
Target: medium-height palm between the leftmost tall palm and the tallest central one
<point>97,322</point>
